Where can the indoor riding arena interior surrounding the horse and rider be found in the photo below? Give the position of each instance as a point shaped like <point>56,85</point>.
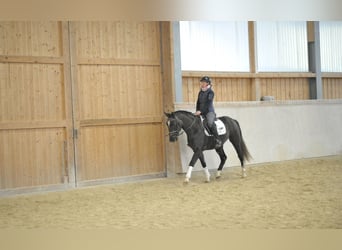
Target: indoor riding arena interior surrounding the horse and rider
<point>84,141</point>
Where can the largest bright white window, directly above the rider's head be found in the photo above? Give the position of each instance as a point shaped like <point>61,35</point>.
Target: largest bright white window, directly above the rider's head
<point>214,46</point>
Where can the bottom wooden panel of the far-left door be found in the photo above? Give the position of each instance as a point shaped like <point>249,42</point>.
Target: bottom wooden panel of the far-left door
<point>32,157</point>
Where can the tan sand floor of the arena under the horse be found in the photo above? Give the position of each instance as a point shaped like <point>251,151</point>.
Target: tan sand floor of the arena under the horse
<point>292,194</point>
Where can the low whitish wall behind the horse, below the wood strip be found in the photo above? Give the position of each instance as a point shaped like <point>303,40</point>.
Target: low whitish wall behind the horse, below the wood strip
<point>277,131</point>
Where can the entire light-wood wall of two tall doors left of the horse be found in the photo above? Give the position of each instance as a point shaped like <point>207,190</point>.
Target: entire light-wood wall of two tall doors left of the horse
<point>80,101</point>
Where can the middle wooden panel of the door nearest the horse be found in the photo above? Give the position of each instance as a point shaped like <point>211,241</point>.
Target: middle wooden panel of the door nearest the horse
<point>114,91</point>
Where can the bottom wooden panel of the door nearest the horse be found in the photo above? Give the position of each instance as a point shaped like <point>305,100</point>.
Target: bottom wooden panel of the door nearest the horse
<point>121,150</point>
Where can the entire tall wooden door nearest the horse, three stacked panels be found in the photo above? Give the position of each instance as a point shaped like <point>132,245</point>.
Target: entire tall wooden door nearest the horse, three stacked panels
<point>117,100</point>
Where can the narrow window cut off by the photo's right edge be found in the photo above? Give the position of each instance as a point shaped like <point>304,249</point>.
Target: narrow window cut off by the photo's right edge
<point>331,46</point>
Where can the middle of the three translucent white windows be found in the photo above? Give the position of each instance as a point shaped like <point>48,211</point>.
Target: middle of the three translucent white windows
<point>282,46</point>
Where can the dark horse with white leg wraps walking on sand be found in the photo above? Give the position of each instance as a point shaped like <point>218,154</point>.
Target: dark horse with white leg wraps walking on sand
<point>199,141</point>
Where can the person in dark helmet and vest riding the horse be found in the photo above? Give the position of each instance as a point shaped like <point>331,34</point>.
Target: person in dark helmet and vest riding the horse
<point>205,106</point>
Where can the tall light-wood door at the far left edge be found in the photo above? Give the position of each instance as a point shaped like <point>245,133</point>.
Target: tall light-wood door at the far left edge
<point>36,144</point>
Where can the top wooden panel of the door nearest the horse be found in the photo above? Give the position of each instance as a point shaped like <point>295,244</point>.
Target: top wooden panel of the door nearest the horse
<point>118,40</point>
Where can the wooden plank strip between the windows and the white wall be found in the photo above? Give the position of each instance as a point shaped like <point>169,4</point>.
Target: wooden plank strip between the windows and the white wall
<point>232,87</point>
